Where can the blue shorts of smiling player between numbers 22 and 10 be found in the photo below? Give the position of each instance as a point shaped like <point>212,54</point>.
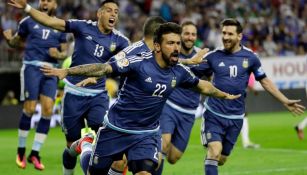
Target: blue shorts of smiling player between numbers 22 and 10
<point>178,124</point>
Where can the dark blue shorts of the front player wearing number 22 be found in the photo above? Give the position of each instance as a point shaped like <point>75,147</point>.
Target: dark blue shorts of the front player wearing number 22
<point>111,145</point>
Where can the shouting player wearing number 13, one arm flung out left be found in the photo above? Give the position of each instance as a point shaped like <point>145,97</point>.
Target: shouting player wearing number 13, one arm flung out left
<point>95,42</point>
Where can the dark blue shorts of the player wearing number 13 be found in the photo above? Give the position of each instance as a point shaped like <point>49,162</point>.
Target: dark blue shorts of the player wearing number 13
<point>77,108</point>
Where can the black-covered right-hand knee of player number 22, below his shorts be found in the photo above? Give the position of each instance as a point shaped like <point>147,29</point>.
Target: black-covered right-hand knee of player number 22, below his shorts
<point>141,166</point>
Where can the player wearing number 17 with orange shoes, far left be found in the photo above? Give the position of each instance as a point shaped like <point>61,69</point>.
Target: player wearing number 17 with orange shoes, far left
<point>42,46</point>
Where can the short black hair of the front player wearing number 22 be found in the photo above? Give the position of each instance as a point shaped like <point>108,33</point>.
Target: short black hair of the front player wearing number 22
<point>166,28</point>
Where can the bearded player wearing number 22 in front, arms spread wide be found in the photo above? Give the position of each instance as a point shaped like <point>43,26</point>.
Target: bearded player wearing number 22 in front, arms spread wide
<point>131,126</point>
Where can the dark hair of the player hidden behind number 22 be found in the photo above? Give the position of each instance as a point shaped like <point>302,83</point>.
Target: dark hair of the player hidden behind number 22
<point>151,24</point>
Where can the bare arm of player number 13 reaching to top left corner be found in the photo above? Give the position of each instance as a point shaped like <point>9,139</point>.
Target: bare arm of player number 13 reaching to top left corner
<point>39,16</point>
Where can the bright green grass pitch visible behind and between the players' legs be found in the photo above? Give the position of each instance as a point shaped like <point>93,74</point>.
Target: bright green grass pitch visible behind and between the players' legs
<point>281,152</point>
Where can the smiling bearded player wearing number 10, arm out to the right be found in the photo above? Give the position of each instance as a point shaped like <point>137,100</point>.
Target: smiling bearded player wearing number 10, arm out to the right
<point>231,67</point>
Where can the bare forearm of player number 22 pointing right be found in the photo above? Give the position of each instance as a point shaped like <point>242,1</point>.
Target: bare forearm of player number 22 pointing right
<point>206,88</point>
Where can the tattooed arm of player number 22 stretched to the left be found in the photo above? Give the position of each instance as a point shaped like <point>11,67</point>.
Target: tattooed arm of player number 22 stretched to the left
<point>91,70</point>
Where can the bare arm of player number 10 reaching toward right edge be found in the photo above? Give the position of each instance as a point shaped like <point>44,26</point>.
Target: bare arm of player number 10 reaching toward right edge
<point>291,105</point>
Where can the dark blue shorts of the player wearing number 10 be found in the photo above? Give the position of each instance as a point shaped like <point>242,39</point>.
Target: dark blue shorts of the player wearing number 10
<point>216,128</point>
